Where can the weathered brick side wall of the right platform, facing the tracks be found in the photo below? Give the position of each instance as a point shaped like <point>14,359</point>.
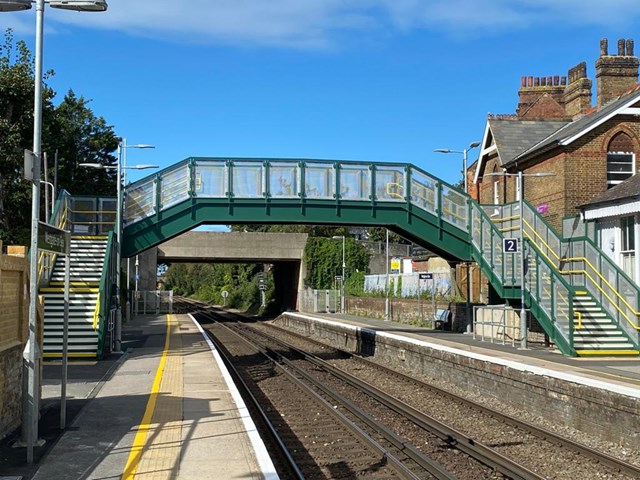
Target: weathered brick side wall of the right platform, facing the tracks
<point>603,414</point>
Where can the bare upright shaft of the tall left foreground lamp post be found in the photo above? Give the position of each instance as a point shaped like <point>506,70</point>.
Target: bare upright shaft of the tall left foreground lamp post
<point>32,352</point>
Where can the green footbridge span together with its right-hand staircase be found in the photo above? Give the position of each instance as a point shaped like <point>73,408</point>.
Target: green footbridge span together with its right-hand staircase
<point>584,302</point>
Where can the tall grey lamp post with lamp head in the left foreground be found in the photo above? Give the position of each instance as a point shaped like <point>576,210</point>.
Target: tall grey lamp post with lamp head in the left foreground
<point>31,353</point>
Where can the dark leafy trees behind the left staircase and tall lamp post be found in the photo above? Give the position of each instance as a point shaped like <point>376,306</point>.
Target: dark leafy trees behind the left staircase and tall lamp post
<point>71,129</point>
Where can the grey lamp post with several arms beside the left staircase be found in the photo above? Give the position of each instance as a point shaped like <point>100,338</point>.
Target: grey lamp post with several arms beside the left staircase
<point>119,169</point>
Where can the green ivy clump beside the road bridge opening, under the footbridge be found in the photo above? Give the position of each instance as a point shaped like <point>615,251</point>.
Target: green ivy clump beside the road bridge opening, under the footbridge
<point>323,257</point>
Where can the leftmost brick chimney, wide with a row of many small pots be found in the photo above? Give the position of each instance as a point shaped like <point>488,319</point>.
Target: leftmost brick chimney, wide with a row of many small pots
<point>541,98</point>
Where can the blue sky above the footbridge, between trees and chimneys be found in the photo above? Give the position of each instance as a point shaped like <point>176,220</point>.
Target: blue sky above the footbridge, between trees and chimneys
<point>375,80</point>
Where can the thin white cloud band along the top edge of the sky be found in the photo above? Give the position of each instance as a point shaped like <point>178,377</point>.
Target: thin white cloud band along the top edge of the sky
<point>320,23</point>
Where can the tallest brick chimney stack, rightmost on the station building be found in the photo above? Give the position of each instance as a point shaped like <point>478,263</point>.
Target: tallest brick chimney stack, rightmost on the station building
<point>615,74</point>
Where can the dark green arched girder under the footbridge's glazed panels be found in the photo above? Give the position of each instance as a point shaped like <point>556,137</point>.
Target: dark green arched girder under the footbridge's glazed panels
<point>415,224</point>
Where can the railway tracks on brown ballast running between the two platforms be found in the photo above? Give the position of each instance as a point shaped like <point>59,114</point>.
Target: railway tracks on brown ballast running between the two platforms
<point>454,453</point>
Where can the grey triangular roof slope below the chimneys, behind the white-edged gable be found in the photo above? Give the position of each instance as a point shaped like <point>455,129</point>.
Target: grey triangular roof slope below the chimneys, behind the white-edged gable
<point>513,137</point>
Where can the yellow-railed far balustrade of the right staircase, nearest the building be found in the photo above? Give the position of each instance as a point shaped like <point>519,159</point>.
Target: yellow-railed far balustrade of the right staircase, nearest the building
<point>614,303</point>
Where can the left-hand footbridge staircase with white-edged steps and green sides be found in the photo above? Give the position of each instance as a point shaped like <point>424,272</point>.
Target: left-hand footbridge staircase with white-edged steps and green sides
<point>91,279</point>
